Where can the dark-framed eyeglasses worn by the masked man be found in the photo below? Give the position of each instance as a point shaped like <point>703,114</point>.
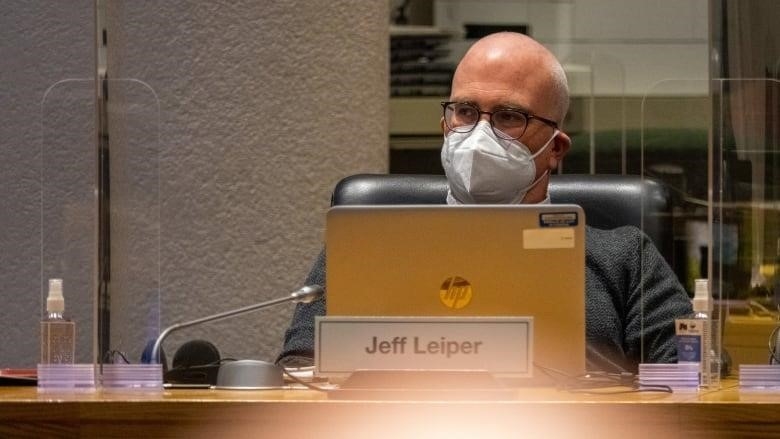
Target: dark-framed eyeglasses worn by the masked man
<point>510,124</point>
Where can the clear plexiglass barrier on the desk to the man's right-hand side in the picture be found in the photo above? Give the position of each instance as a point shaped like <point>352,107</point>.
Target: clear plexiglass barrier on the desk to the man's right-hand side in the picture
<point>722,177</point>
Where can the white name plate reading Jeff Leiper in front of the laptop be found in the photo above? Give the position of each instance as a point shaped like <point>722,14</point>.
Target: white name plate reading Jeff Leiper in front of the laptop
<point>501,345</point>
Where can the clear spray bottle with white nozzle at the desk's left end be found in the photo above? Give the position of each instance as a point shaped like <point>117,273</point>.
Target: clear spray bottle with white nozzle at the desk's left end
<point>58,336</point>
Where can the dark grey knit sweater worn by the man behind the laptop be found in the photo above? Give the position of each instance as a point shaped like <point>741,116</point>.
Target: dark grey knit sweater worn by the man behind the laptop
<point>631,300</point>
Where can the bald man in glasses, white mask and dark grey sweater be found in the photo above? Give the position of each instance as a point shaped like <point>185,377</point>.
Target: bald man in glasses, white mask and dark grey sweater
<point>502,137</point>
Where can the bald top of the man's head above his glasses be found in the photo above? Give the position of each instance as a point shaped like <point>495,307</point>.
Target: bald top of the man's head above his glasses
<point>518,64</point>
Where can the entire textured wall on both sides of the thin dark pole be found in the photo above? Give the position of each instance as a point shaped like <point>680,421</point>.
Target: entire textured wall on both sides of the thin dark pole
<point>259,108</point>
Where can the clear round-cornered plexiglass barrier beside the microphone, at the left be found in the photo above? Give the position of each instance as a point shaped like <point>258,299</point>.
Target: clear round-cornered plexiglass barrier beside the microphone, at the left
<point>100,210</point>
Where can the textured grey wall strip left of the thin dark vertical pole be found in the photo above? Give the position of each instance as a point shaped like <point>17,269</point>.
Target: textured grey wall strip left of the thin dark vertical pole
<point>42,43</point>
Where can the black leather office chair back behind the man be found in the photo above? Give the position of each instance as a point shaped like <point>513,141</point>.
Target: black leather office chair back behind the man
<point>608,200</point>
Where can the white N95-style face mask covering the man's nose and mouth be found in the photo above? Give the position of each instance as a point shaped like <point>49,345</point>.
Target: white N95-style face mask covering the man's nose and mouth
<point>482,168</point>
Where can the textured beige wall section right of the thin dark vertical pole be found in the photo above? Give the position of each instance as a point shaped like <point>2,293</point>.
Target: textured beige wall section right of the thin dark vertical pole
<point>264,106</point>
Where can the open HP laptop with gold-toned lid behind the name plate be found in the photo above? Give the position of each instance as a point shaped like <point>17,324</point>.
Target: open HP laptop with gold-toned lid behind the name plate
<point>517,260</point>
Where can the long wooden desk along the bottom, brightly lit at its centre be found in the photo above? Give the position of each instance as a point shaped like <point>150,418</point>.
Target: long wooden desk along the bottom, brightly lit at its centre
<point>303,413</point>
